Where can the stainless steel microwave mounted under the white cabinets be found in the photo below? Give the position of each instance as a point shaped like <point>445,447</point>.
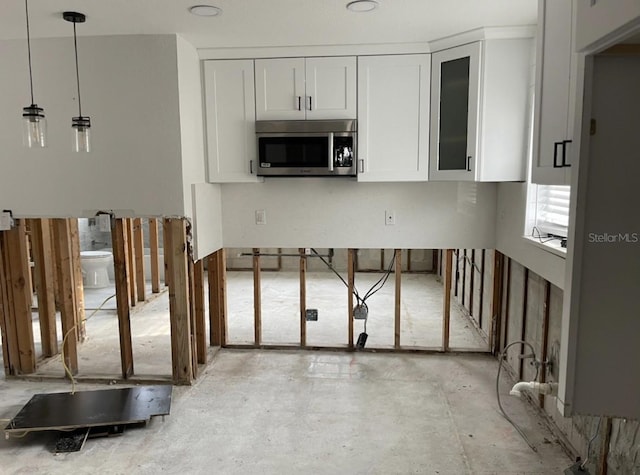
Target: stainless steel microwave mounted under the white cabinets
<point>306,147</point>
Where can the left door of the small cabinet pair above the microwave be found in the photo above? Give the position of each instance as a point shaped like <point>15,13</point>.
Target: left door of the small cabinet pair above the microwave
<point>280,91</point>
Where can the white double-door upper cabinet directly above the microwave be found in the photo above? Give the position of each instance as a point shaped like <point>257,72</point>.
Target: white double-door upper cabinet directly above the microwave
<point>306,88</point>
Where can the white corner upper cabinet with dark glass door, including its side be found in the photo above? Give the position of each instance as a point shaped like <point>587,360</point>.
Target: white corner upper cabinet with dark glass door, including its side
<point>479,98</point>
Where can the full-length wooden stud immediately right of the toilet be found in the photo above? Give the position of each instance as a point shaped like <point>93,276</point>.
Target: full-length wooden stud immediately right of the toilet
<point>119,237</point>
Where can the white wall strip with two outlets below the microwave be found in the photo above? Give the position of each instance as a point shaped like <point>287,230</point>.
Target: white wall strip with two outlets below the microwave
<point>341,213</point>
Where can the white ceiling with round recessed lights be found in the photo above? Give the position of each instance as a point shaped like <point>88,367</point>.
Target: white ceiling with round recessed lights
<point>251,23</point>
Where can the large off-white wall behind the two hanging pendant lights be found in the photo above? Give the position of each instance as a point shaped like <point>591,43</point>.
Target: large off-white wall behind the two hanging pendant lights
<point>129,88</point>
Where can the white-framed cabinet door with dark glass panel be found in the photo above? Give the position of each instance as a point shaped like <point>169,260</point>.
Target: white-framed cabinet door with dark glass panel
<point>455,93</point>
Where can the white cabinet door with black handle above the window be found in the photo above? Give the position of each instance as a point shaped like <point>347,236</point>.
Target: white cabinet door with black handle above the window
<point>553,90</point>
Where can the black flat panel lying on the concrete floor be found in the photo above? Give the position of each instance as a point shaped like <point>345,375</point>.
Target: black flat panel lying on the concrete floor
<point>107,407</point>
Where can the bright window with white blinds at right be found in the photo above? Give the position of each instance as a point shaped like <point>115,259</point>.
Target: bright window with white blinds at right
<point>551,213</point>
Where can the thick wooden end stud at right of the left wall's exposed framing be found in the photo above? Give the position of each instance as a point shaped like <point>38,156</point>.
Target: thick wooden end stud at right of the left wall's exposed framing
<point>176,255</point>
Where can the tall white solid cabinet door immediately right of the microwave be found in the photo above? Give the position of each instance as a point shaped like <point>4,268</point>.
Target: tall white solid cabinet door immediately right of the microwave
<point>393,117</point>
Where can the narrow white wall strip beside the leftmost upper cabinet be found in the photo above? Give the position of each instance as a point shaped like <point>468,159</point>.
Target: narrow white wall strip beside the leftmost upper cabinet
<point>191,120</point>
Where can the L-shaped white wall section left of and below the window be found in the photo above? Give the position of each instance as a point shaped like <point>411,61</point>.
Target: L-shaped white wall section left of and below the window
<point>510,229</point>
